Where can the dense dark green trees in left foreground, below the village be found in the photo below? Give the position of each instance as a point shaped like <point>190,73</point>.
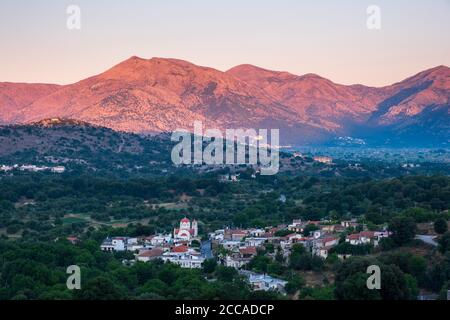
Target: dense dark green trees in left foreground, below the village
<point>38,271</point>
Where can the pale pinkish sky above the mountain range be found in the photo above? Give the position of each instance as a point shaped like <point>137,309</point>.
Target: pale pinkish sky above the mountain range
<point>326,37</point>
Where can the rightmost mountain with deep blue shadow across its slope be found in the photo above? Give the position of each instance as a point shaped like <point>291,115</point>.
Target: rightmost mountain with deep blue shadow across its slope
<point>417,111</point>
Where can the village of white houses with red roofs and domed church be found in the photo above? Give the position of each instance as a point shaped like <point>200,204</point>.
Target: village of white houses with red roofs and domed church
<point>236,248</point>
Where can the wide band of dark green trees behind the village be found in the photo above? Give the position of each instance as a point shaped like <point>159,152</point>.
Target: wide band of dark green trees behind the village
<point>42,206</point>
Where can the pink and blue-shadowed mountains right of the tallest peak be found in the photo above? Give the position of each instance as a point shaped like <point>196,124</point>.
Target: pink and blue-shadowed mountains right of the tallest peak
<point>413,111</point>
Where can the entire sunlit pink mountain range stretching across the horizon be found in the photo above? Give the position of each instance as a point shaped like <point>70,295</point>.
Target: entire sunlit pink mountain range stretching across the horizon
<point>159,95</point>
